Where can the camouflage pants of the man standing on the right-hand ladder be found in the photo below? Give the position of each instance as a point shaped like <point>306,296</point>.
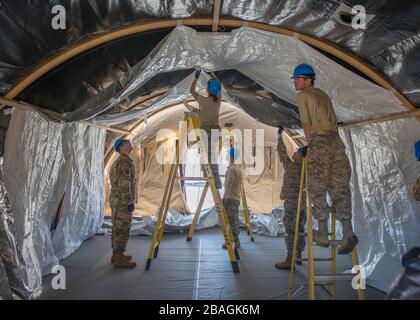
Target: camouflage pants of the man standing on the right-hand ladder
<point>329,171</point>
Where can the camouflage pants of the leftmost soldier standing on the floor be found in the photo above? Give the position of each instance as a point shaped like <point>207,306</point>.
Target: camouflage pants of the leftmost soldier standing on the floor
<point>121,224</point>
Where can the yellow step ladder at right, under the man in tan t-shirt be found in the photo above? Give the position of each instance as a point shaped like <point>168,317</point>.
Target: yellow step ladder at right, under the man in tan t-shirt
<point>319,279</point>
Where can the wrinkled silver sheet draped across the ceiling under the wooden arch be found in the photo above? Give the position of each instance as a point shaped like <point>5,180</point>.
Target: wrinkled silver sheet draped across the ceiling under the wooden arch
<point>265,57</point>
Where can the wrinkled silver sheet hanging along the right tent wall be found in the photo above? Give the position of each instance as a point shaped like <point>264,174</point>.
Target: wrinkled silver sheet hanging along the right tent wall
<point>387,219</point>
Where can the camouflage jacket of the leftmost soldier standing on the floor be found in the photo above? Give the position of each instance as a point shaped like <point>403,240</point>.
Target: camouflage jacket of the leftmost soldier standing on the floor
<point>122,177</point>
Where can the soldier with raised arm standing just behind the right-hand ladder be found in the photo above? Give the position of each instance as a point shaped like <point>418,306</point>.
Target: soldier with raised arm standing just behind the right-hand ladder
<point>290,195</point>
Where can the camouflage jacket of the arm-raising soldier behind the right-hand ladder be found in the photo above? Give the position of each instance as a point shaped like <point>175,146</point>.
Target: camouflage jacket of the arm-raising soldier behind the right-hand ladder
<point>292,172</point>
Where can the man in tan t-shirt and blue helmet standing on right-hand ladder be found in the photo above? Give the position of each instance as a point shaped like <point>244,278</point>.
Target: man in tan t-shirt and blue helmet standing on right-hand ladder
<point>328,166</point>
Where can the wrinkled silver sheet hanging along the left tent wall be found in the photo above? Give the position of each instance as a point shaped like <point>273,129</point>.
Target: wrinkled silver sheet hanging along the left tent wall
<point>46,162</point>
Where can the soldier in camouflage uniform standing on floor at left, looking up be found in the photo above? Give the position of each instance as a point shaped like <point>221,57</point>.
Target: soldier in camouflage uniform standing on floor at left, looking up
<point>122,199</point>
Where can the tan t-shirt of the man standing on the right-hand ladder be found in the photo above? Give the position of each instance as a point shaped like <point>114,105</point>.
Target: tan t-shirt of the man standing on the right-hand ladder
<point>315,108</point>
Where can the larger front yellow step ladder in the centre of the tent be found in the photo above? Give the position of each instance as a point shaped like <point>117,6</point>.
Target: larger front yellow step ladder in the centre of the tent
<point>191,117</point>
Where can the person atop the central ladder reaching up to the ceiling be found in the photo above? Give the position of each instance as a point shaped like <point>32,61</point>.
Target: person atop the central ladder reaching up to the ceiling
<point>208,113</point>
